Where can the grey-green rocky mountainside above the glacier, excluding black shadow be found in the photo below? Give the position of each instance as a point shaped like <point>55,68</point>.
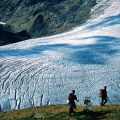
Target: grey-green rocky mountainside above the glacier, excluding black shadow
<point>44,17</point>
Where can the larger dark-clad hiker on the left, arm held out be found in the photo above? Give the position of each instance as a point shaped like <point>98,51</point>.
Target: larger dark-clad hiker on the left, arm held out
<point>71,102</point>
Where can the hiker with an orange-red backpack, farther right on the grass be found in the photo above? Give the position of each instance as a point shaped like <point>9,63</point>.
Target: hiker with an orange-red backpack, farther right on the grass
<point>104,96</point>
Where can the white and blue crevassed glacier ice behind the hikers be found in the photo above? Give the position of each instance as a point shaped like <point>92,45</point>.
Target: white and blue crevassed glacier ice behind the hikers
<point>43,71</point>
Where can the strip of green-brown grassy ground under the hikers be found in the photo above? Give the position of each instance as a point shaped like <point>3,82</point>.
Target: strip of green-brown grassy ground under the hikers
<point>60,112</point>
